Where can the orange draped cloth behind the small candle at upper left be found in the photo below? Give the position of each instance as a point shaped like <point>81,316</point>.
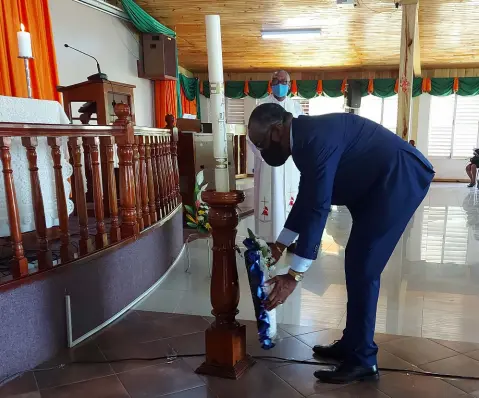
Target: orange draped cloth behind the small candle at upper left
<point>34,14</point>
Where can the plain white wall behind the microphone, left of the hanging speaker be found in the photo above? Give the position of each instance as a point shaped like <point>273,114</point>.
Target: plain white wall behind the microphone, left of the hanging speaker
<point>106,38</point>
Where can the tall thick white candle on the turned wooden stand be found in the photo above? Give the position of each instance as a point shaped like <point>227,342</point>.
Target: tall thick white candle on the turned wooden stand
<point>217,97</point>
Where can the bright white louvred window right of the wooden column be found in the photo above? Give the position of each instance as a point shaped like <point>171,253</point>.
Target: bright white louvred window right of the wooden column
<point>454,124</point>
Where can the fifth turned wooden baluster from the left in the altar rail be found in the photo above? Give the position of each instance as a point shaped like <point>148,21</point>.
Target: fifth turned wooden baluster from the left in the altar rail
<point>101,238</point>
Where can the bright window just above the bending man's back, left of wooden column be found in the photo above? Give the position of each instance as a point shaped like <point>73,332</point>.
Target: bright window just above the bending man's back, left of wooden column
<point>380,110</point>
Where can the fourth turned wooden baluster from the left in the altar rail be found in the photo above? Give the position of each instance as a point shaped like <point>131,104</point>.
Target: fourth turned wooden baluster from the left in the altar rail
<point>86,245</point>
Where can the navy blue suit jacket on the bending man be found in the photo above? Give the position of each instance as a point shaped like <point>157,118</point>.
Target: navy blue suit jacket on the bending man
<point>342,158</point>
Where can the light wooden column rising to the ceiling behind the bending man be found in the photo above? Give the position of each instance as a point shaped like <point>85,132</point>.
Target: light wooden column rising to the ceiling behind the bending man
<point>409,38</point>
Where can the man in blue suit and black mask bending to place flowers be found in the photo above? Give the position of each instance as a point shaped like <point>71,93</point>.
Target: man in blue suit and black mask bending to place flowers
<point>344,160</point>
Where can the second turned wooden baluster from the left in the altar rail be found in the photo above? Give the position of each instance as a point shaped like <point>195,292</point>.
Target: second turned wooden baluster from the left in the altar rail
<point>44,255</point>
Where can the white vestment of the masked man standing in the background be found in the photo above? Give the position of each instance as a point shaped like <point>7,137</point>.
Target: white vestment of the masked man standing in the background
<point>275,188</point>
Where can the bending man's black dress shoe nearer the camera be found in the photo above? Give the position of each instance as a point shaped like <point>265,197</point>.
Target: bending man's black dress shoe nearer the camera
<point>344,374</point>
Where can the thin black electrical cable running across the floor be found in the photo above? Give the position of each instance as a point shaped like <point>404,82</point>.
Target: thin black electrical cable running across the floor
<point>172,358</point>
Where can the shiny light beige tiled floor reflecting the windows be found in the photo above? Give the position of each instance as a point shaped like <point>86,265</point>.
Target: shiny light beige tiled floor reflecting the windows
<point>430,287</point>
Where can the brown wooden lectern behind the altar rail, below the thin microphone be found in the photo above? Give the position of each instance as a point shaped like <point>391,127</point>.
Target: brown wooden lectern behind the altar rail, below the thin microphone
<point>103,94</point>
